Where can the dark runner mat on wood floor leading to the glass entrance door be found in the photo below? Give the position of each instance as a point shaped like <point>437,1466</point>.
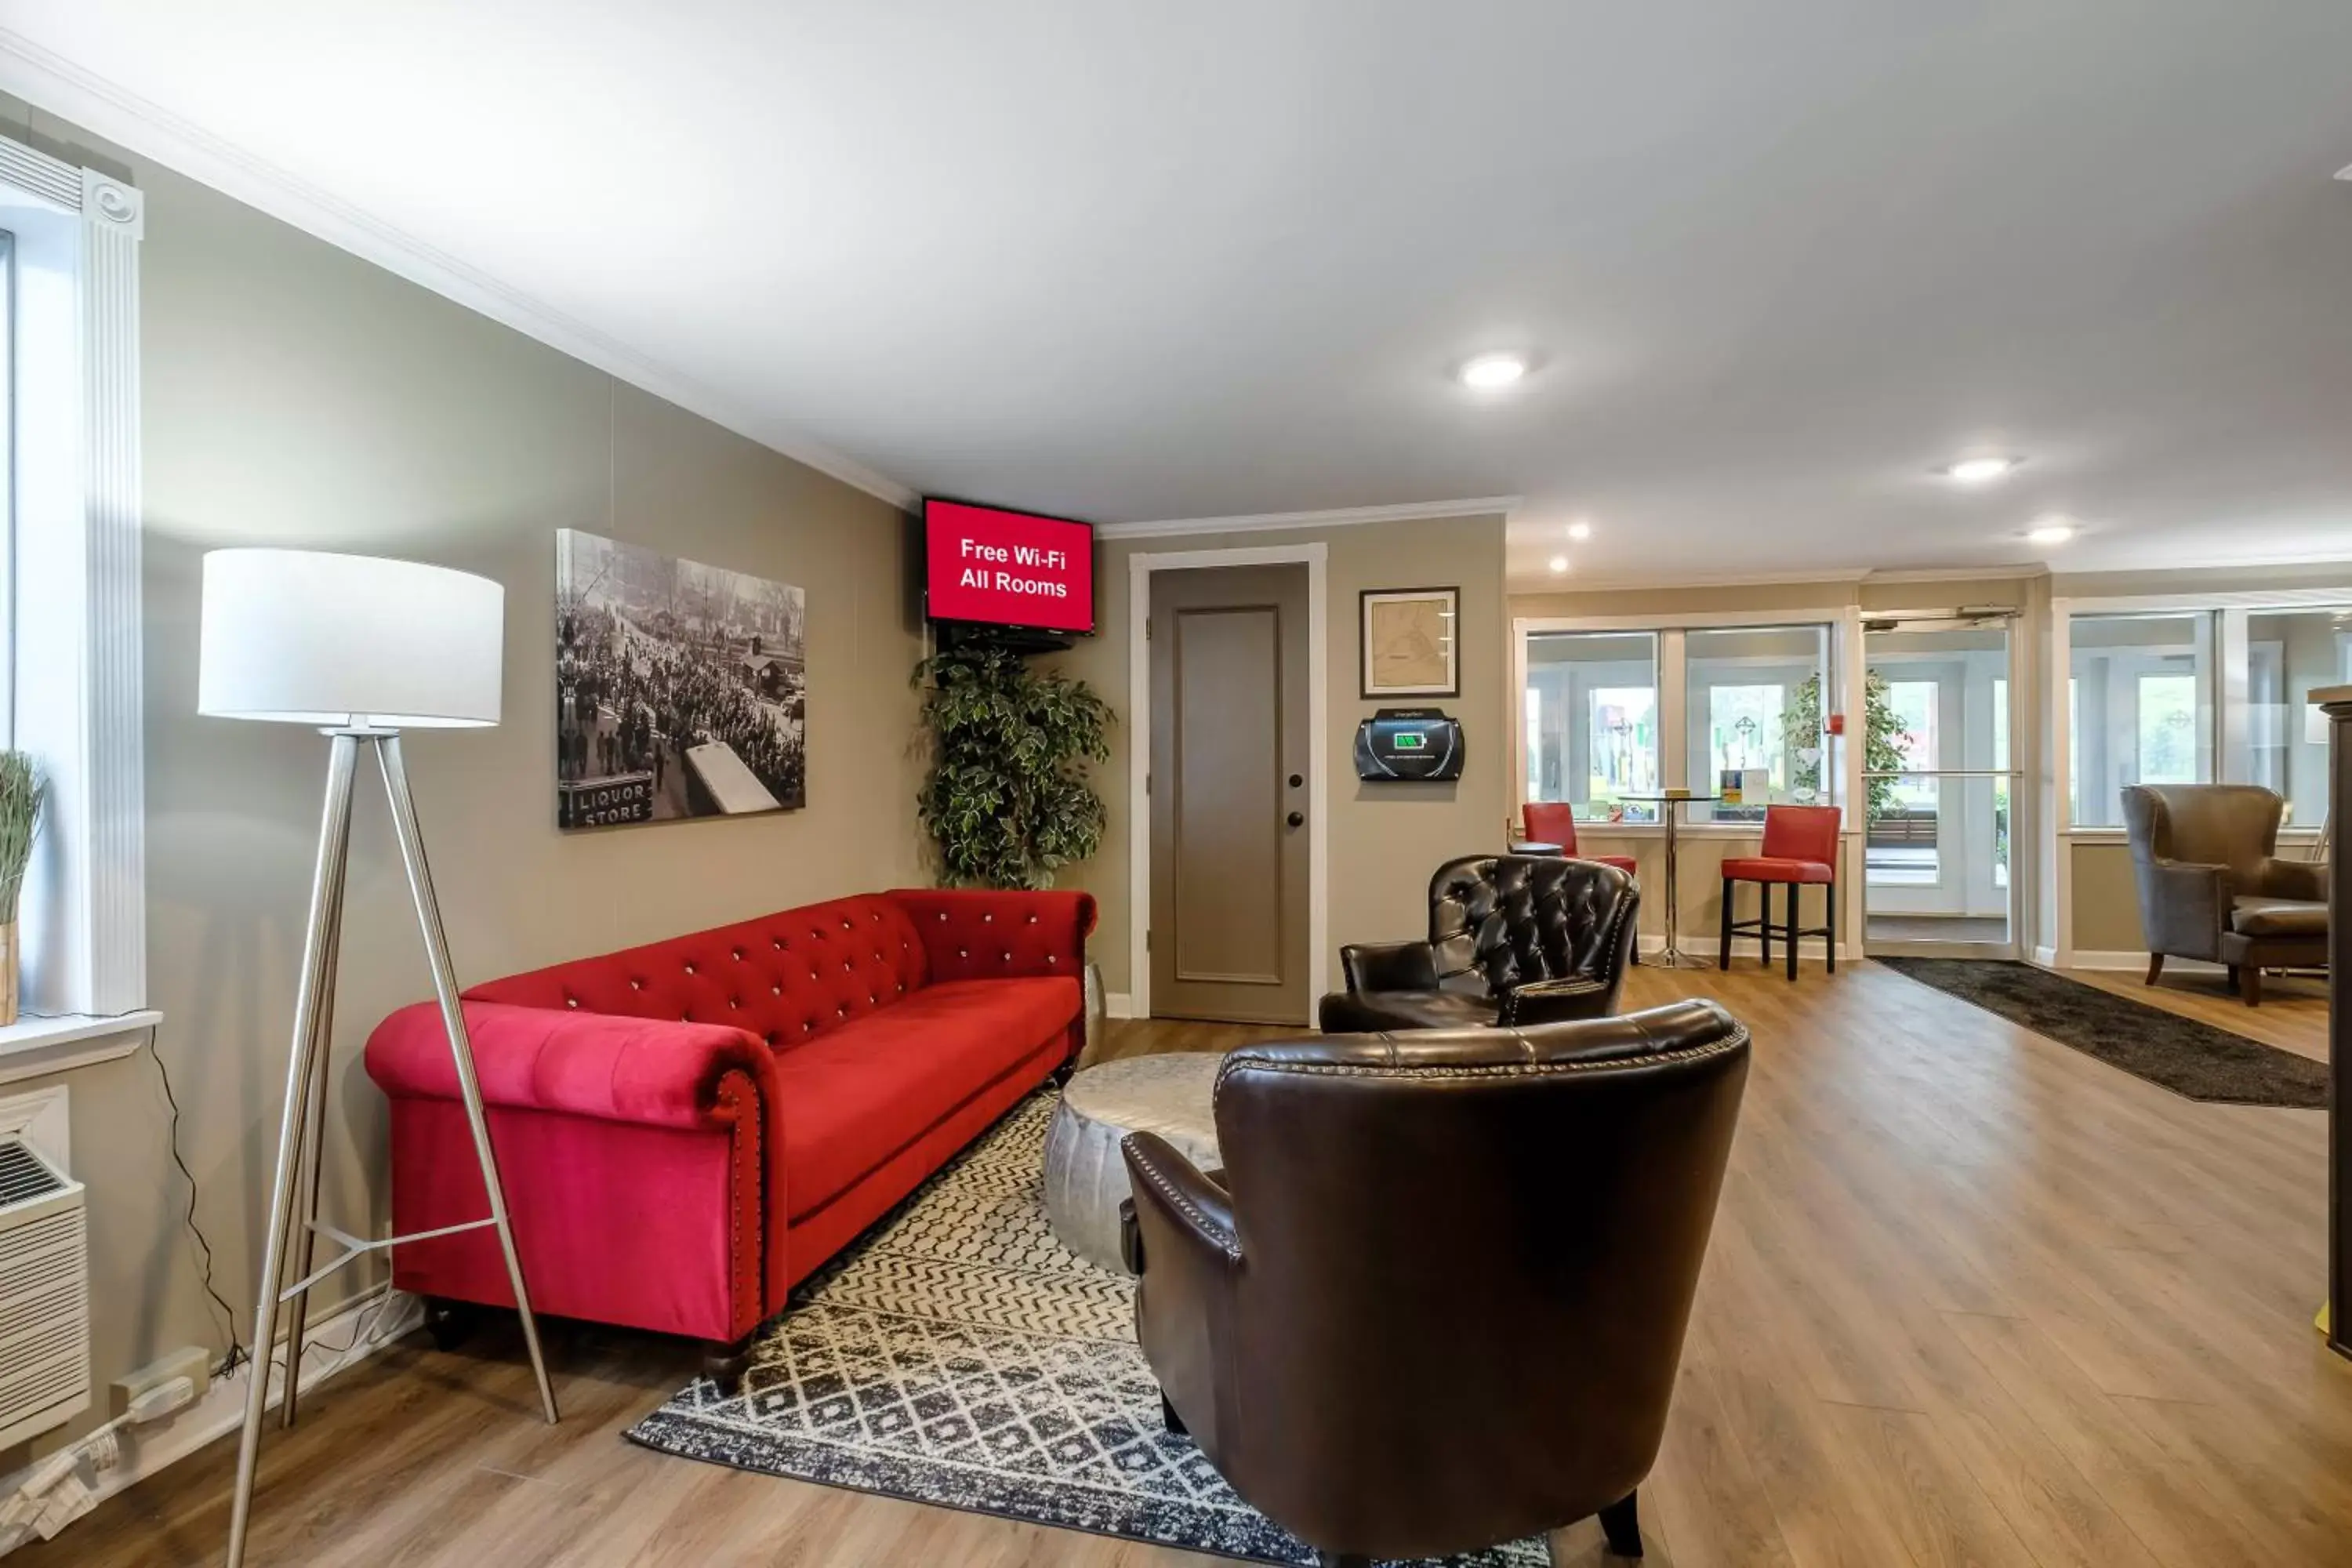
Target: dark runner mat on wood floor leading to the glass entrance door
<point>2149,1043</point>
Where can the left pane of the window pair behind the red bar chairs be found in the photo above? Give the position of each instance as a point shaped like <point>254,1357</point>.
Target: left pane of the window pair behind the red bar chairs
<point>1593,723</point>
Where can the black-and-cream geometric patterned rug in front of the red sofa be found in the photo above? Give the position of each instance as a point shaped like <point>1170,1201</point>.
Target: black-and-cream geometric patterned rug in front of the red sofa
<point>961,1355</point>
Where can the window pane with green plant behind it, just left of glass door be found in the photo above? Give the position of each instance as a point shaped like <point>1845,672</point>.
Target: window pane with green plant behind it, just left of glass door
<point>1756,718</point>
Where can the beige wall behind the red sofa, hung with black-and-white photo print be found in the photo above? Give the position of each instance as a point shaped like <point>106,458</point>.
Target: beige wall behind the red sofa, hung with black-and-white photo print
<point>305,398</point>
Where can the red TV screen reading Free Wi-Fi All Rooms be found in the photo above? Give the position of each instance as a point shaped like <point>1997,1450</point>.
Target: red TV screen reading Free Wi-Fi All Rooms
<point>1008,568</point>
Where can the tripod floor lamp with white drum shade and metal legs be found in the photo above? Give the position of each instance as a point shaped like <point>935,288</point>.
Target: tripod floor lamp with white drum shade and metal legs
<point>361,650</point>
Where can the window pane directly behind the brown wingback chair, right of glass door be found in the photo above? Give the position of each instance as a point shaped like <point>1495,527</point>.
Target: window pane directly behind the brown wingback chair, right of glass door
<point>2141,709</point>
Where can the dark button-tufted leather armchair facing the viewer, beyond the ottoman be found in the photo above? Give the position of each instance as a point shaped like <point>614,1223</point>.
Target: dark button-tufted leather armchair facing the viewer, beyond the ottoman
<point>1514,942</point>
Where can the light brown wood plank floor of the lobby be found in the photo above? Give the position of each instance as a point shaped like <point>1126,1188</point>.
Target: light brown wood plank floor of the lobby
<point>1972,1301</point>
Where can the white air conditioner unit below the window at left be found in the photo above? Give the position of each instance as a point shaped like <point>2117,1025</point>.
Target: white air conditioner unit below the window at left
<point>44,1294</point>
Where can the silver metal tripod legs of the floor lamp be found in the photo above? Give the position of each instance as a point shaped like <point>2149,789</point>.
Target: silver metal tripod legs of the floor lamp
<point>295,1224</point>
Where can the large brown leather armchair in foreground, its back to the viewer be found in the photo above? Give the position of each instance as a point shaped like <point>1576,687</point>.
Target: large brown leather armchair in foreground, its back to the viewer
<point>1436,1299</point>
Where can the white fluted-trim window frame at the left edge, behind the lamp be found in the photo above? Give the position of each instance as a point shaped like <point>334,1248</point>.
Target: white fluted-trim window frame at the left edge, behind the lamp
<point>76,634</point>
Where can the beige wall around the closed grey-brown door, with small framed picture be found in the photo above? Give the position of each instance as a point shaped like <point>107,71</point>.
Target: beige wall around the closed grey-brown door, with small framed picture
<point>1387,840</point>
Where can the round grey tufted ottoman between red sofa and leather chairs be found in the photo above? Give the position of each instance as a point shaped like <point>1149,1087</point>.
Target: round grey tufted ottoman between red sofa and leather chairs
<point>1085,1179</point>
